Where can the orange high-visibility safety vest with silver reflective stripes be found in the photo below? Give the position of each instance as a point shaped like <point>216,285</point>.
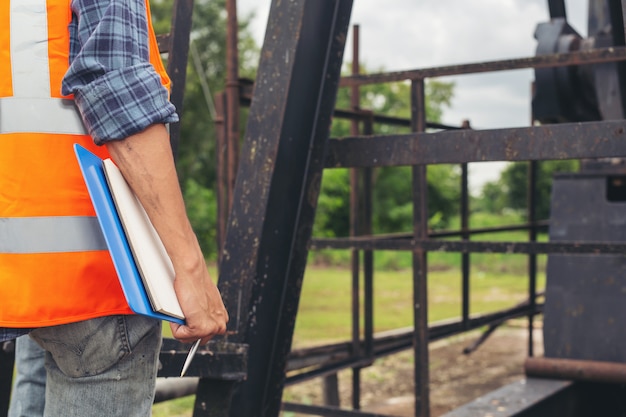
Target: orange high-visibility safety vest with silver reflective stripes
<point>54,265</point>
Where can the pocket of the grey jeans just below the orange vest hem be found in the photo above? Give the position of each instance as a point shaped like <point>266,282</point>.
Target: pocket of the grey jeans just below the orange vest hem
<point>86,348</point>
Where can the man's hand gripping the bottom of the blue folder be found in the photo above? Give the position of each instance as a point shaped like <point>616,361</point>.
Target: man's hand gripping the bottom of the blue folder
<point>201,302</point>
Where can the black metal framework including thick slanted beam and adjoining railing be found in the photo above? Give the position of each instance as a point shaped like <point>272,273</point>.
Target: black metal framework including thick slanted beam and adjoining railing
<point>268,234</point>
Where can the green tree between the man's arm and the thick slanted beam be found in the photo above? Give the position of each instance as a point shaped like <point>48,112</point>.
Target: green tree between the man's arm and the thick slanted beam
<point>196,159</point>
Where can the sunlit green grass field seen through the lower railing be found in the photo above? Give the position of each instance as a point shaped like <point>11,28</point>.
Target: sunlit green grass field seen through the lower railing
<point>324,314</point>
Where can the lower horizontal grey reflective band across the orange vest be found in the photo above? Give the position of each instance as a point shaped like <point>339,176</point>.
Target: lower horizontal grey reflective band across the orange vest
<point>27,235</point>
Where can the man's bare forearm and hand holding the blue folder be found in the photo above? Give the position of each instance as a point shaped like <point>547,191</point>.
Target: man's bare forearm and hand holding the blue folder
<point>146,161</point>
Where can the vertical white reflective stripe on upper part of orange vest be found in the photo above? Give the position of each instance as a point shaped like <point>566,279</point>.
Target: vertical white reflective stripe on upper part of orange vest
<point>30,68</point>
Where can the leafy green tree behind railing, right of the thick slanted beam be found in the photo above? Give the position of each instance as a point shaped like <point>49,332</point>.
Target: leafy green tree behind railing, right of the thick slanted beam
<point>392,193</point>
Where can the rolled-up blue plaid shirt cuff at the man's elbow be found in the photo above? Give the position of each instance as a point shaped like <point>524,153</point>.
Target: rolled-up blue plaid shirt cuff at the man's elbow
<point>124,102</point>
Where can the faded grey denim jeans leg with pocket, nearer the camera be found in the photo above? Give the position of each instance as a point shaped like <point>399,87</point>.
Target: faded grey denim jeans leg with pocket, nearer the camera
<point>104,367</point>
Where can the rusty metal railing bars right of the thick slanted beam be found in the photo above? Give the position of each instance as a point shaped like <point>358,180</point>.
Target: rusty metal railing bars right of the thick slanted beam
<point>459,145</point>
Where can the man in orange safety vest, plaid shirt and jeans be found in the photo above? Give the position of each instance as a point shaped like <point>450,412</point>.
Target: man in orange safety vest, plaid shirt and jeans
<point>56,275</point>
